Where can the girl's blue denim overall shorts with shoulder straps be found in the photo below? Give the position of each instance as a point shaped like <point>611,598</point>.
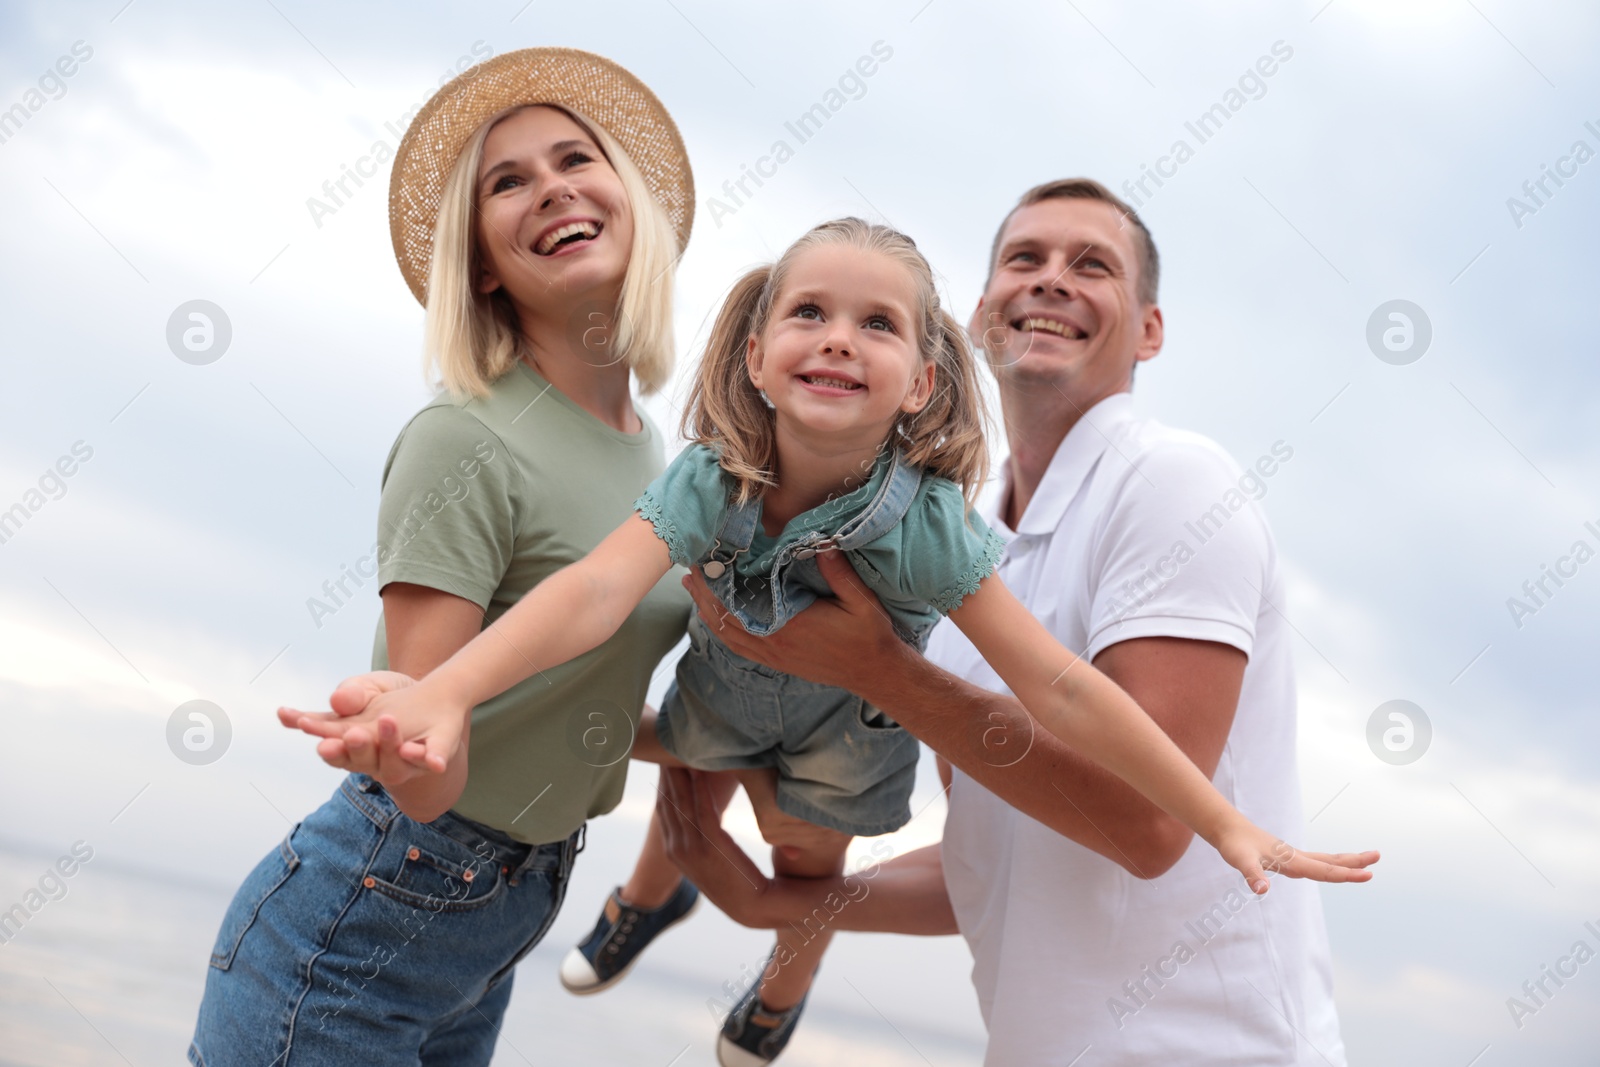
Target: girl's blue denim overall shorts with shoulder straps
<point>842,764</point>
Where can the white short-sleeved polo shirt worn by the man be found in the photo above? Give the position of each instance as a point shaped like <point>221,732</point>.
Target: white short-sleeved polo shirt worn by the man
<point>1140,530</point>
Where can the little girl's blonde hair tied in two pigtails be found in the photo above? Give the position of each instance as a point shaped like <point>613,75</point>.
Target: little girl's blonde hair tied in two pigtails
<point>729,414</point>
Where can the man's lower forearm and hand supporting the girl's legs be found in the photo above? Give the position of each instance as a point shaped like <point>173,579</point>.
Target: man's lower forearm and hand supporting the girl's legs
<point>905,895</point>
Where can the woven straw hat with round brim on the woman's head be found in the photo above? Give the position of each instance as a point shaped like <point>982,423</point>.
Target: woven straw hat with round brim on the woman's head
<point>591,86</point>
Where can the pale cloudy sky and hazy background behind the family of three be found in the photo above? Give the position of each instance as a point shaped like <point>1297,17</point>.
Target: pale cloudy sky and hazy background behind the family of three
<point>1396,153</point>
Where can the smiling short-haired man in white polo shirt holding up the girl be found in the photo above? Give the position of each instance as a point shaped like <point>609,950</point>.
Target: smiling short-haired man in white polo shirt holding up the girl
<point>1100,937</point>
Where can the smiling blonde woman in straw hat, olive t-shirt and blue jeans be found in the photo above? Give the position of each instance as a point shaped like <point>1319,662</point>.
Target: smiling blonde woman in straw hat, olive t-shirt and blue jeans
<point>537,193</point>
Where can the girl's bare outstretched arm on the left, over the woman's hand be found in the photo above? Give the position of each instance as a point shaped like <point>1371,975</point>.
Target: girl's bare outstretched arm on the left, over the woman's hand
<point>562,618</point>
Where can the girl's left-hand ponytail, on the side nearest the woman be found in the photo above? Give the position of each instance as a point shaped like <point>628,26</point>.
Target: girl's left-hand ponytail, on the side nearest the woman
<point>726,410</point>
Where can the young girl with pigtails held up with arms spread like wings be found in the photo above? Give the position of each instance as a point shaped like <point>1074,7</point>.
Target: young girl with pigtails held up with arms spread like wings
<point>838,409</point>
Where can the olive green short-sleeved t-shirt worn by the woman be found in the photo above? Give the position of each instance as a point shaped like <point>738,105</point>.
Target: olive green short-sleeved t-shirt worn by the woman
<point>486,498</point>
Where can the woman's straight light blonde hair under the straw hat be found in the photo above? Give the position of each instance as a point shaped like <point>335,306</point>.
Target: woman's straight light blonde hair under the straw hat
<point>471,338</point>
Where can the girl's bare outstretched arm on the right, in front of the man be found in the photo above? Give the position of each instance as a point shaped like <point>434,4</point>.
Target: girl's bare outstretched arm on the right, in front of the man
<point>1090,713</point>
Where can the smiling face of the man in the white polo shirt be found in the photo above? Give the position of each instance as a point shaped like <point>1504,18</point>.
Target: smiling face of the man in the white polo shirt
<point>1063,302</point>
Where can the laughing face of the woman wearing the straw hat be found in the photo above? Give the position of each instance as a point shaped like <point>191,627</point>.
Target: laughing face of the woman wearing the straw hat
<point>553,217</point>
